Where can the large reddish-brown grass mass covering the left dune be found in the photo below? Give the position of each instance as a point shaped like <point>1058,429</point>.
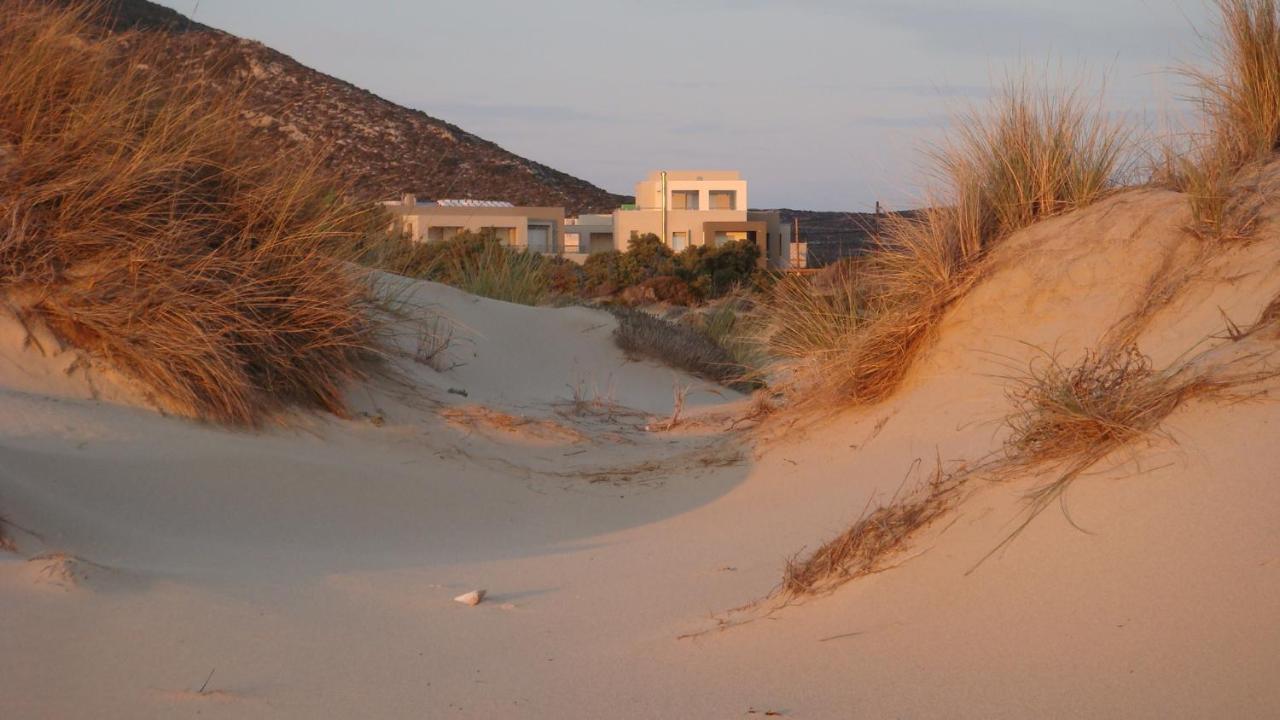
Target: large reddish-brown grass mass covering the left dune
<point>140,226</point>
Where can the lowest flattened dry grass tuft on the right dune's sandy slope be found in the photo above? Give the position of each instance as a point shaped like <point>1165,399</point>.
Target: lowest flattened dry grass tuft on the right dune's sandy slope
<point>879,536</point>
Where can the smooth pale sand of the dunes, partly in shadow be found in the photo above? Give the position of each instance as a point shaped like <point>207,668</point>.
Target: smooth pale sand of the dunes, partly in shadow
<point>312,567</point>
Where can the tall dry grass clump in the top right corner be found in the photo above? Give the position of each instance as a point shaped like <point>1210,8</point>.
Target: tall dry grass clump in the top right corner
<point>1240,98</point>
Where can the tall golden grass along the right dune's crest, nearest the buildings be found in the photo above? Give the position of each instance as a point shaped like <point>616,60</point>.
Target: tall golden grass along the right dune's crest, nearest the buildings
<point>1032,154</point>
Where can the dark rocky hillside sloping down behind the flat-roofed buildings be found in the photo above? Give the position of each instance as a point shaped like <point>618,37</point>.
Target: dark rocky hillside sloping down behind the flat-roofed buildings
<point>382,148</point>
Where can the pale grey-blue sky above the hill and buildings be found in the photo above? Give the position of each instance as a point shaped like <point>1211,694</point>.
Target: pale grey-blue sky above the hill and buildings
<point>822,104</point>
